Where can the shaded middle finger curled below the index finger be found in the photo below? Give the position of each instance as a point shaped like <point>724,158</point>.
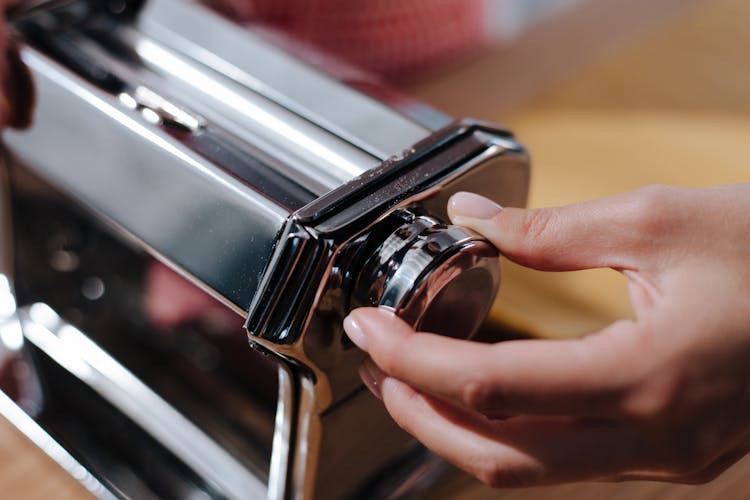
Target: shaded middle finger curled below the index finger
<point>518,452</point>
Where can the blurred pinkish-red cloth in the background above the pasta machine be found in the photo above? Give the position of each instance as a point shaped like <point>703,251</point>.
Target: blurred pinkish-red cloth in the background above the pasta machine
<point>393,38</point>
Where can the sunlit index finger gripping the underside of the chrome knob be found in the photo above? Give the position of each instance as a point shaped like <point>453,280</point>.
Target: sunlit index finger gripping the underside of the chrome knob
<point>589,377</point>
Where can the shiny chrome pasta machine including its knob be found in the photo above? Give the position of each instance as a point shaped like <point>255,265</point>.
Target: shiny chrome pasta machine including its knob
<point>279,191</point>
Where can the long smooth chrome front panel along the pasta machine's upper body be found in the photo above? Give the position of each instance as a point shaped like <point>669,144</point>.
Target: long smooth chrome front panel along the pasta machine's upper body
<point>127,169</point>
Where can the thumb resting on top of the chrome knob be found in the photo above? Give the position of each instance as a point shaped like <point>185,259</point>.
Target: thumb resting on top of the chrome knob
<point>609,232</point>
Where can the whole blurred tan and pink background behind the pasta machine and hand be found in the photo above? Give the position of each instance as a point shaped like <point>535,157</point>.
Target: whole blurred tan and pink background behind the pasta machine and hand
<point>607,95</point>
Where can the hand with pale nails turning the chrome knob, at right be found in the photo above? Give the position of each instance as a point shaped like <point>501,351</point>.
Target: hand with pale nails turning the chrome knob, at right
<point>663,397</point>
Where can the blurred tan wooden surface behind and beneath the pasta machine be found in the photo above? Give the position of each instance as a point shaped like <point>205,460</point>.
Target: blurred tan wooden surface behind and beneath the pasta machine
<point>666,100</point>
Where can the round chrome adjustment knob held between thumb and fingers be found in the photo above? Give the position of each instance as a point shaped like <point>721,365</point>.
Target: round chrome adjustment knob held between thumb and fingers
<point>438,277</point>
